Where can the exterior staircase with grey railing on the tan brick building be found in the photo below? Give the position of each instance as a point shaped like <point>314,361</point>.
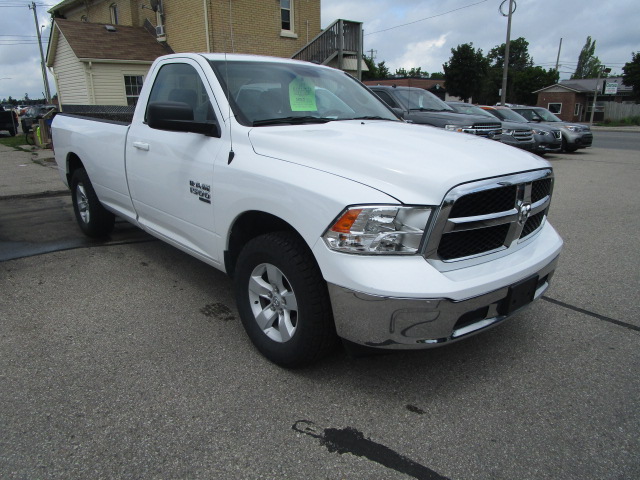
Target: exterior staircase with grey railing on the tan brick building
<point>339,45</point>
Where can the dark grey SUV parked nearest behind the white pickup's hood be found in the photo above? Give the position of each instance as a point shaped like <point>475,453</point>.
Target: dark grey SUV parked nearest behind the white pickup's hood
<point>423,107</point>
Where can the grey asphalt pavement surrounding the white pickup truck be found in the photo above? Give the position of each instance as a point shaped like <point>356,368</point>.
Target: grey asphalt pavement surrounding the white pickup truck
<point>127,359</point>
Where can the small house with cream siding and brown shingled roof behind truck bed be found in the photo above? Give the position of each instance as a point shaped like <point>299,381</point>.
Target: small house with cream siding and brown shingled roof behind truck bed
<point>98,64</point>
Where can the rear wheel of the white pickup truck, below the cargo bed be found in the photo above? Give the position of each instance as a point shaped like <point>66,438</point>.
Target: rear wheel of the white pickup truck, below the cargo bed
<point>94,220</point>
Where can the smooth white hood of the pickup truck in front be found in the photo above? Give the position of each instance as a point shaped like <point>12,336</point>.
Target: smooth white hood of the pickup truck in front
<point>412,163</point>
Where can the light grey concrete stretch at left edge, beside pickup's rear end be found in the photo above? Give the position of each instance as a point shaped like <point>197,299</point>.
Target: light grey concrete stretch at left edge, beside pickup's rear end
<point>28,173</point>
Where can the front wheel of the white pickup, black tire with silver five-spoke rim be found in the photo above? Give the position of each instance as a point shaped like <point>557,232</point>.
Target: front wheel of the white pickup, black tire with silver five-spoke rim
<point>283,300</point>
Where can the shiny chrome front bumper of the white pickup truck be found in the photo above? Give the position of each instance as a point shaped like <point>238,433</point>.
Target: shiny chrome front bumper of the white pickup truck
<point>409,323</point>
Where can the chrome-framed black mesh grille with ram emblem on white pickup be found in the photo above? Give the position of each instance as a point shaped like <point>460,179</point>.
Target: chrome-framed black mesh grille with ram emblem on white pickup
<point>489,217</point>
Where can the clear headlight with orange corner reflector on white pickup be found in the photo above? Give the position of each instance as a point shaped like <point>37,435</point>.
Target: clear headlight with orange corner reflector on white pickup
<point>383,229</point>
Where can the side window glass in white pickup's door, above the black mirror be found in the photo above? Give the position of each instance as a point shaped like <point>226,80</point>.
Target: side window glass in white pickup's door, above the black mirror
<point>180,82</point>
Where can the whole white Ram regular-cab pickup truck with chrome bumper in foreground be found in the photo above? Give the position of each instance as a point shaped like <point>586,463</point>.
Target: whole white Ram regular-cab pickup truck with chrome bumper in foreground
<point>334,218</point>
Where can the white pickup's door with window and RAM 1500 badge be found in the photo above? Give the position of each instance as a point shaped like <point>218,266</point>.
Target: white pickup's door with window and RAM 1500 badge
<point>170,173</point>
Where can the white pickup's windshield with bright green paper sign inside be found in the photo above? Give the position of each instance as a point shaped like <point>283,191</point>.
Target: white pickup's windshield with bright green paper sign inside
<point>272,93</point>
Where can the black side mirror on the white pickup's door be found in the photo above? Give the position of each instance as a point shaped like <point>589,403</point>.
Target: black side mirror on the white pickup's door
<point>178,117</point>
